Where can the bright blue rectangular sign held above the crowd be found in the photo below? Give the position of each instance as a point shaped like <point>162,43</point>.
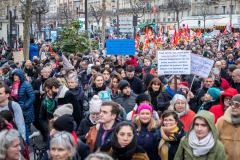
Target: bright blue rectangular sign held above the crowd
<point>120,47</point>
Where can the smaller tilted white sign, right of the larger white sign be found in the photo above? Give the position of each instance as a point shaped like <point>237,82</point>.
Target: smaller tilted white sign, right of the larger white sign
<point>201,66</point>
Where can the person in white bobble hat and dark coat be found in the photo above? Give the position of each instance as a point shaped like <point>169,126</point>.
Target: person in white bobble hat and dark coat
<point>91,119</point>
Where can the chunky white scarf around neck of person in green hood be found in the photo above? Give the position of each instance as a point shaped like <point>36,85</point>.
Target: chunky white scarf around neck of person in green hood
<point>203,146</point>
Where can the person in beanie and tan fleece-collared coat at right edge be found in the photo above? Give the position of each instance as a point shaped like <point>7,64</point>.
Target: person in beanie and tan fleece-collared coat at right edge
<point>228,128</point>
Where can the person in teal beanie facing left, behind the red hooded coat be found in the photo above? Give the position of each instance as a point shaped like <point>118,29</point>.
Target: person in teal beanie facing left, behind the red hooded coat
<point>211,98</point>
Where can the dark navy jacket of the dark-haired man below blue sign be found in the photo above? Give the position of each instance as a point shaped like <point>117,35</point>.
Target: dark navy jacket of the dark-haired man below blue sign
<point>135,84</point>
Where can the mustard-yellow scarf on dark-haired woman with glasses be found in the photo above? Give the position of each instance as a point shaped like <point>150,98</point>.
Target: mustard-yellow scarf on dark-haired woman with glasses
<point>168,134</point>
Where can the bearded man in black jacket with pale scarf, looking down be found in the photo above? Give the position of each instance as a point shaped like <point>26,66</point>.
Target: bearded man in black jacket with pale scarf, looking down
<point>62,96</point>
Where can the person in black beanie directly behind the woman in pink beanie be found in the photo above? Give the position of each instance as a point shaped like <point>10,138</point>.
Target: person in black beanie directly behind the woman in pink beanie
<point>141,98</point>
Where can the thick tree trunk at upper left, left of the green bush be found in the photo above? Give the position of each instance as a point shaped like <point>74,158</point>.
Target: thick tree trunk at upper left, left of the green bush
<point>26,31</point>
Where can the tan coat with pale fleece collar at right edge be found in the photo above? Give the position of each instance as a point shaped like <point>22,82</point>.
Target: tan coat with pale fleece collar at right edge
<point>229,135</point>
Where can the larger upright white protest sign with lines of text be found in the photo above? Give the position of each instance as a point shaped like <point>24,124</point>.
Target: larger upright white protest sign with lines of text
<point>174,62</point>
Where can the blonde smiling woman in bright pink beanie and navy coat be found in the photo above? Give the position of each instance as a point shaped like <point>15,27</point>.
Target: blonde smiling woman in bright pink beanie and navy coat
<point>147,133</point>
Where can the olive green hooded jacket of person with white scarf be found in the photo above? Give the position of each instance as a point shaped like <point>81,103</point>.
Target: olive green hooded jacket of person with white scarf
<point>185,152</point>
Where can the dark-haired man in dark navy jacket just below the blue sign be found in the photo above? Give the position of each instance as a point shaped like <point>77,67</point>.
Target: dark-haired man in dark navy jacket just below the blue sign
<point>135,83</point>
